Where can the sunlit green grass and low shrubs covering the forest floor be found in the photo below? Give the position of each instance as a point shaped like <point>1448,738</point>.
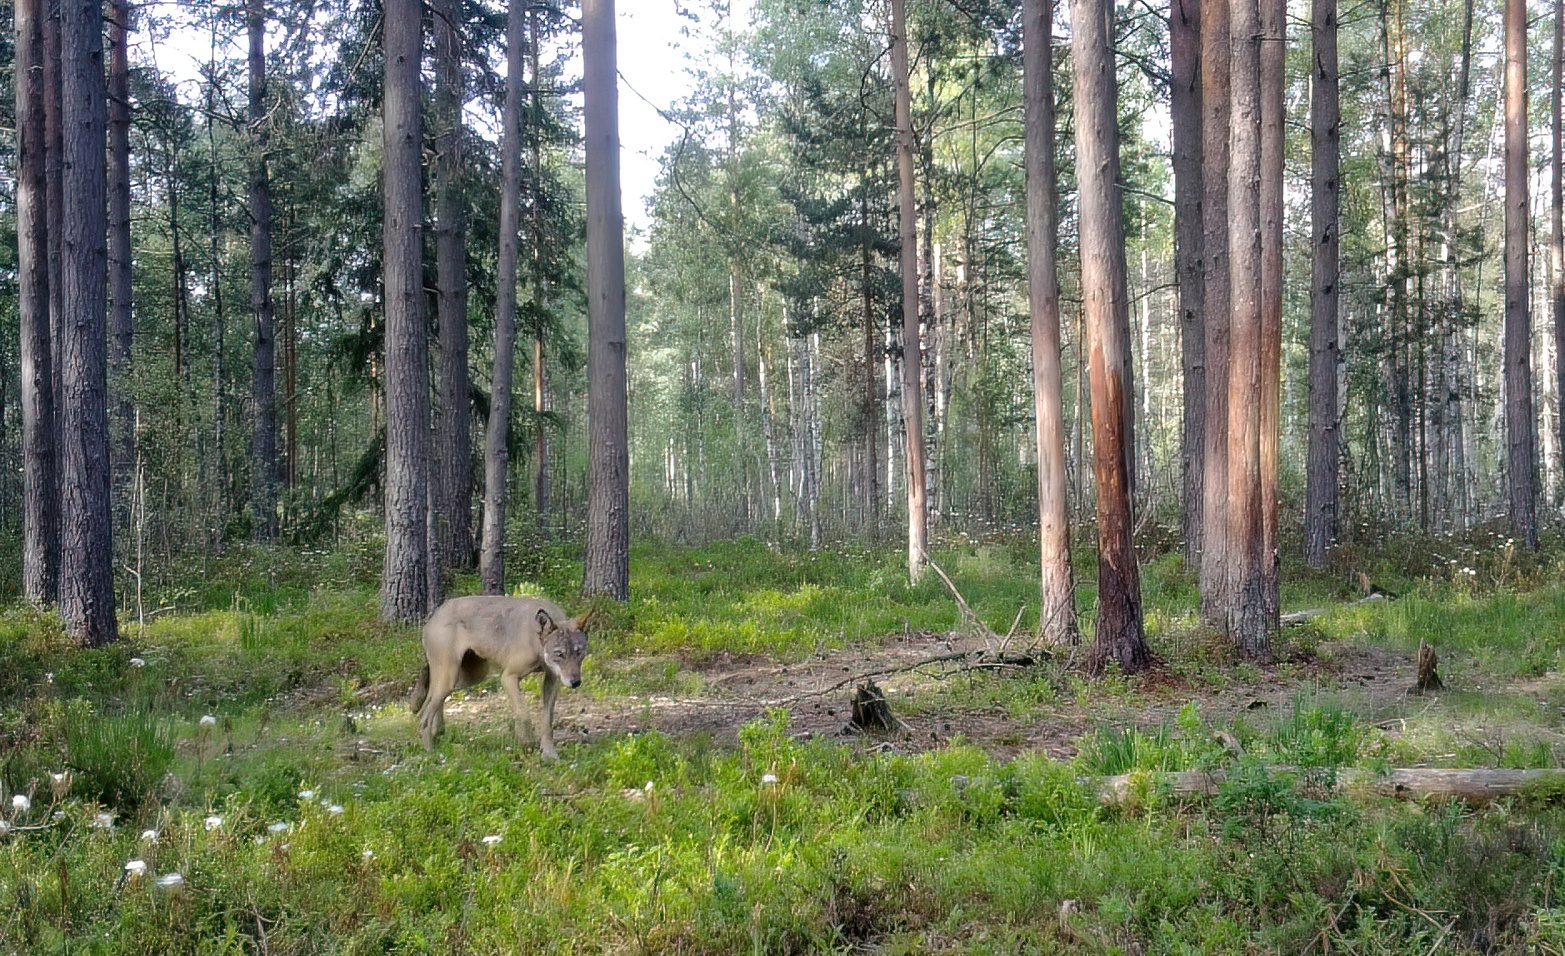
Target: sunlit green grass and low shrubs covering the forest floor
<point>306,819</point>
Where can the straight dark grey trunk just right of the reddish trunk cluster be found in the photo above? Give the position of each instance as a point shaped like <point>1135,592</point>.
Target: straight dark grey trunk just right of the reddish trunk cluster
<point>1325,445</point>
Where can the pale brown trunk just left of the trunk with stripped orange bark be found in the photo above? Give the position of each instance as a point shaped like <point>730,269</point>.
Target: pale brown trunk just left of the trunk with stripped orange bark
<point>1057,588</point>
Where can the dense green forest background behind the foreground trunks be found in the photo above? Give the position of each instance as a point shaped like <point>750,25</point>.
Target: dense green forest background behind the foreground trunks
<point>765,309</point>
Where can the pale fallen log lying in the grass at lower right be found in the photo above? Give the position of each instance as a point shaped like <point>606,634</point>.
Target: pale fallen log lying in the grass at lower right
<point>1426,785</point>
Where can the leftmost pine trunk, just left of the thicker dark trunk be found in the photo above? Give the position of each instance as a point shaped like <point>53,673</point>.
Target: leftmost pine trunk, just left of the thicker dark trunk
<point>40,450</point>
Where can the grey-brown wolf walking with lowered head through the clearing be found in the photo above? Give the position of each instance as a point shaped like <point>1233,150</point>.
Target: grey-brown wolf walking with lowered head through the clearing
<point>467,639</point>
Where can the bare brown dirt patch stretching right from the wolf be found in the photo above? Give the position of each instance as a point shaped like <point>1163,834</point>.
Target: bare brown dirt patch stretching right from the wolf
<point>929,700</point>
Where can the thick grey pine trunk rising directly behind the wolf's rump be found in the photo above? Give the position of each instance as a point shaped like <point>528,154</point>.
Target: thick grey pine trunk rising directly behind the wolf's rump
<point>405,589</point>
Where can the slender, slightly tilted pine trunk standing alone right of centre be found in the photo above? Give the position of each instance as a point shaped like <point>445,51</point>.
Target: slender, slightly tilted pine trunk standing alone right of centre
<point>912,347</point>
